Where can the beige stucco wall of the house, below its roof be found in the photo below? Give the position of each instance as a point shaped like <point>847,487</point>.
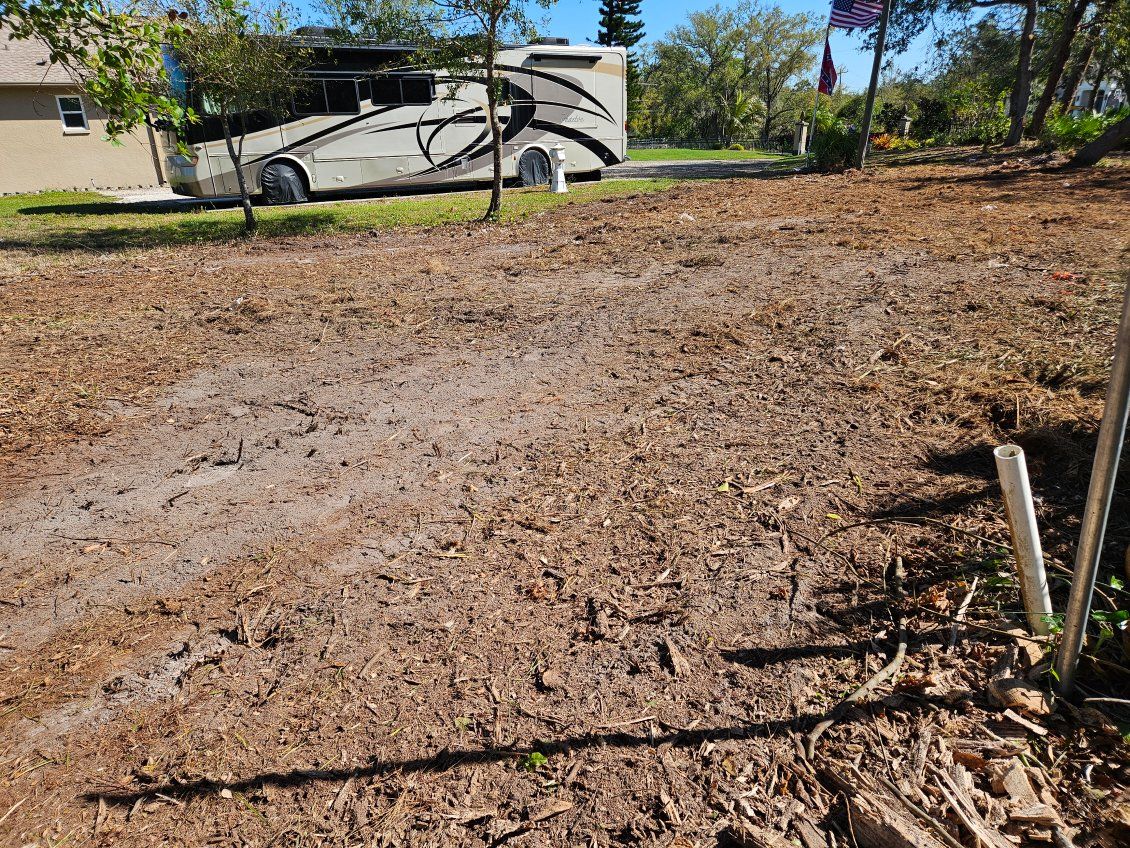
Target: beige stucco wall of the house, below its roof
<point>38,153</point>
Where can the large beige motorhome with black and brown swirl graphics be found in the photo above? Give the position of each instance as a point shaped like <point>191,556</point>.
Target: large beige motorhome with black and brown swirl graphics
<point>368,119</point>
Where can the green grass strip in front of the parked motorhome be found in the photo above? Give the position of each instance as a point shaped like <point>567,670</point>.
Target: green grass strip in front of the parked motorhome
<point>67,221</point>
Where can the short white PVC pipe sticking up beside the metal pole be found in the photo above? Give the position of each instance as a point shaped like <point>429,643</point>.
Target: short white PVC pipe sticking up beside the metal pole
<point>1022,523</point>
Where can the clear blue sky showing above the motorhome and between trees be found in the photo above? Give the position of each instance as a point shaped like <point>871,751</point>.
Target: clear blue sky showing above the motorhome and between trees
<point>578,20</point>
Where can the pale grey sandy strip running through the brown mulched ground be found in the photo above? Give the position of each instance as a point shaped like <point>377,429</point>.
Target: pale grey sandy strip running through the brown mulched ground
<point>250,455</point>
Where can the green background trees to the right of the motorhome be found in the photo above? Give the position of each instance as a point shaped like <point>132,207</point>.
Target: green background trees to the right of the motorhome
<point>1002,71</point>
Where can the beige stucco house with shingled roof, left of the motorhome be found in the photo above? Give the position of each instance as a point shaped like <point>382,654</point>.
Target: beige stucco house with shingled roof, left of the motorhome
<point>51,137</point>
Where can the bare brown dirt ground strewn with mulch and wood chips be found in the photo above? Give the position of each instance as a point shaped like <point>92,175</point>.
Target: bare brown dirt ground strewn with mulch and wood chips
<point>521,535</point>
